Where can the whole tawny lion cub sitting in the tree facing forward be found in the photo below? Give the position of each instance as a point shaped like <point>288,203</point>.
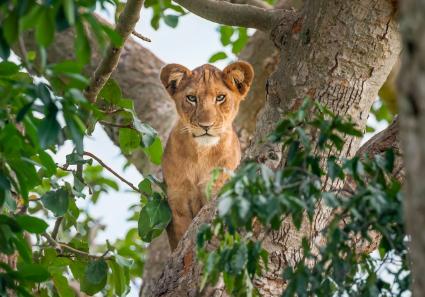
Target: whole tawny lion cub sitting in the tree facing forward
<point>207,101</point>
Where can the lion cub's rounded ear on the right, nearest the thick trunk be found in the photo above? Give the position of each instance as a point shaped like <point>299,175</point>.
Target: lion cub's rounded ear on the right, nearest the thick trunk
<point>238,76</point>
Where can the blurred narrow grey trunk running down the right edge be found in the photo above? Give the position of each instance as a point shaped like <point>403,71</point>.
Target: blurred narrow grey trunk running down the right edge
<point>412,132</point>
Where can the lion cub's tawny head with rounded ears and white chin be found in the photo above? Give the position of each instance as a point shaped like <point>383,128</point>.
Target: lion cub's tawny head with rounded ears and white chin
<point>207,99</point>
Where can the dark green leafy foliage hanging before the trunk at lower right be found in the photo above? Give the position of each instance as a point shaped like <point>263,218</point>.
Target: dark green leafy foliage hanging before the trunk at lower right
<point>308,181</point>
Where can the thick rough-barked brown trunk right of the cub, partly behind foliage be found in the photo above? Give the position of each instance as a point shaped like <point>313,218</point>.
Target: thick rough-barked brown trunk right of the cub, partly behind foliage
<point>336,52</point>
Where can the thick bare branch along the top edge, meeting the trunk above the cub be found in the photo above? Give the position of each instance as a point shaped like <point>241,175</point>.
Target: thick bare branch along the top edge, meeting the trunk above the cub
<point>232,14</point>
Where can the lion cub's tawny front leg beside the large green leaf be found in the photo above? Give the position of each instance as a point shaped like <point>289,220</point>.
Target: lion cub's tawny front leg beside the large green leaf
<point>179,202</point>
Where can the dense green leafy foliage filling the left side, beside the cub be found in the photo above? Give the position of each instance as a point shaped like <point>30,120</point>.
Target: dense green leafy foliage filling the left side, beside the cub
<point>42,106</point>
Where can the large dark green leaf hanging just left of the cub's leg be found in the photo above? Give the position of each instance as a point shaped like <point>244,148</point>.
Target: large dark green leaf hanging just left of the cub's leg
<point>154,218</point>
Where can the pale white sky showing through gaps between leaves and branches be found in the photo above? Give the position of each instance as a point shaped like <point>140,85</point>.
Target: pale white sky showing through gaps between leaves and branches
<point>191,44</point>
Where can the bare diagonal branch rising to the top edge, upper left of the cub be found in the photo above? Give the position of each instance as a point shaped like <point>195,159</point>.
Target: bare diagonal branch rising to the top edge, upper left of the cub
<point>125,26</point>
